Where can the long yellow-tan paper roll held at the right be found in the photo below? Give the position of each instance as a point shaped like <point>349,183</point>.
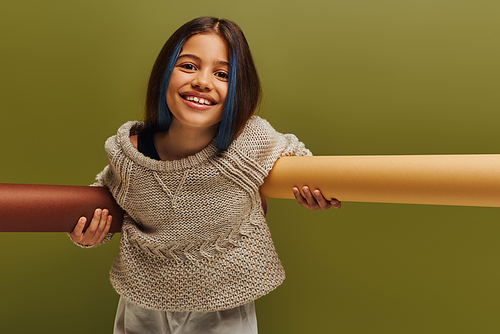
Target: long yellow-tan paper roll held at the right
<point>465,180</point>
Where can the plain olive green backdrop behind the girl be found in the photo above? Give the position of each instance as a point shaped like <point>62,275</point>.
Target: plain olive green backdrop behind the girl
<point>347,77</point>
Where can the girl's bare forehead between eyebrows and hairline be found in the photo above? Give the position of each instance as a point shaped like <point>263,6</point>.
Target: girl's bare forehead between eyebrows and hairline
<point>207,47</point>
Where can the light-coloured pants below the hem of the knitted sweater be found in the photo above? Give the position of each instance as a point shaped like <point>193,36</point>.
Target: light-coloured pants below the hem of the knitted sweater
<point>133,319</point>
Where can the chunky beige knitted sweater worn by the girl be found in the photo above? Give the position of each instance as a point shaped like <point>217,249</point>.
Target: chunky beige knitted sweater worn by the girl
<point>194,236</point>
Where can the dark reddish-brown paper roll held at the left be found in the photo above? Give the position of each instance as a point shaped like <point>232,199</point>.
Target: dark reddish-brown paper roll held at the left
<point>50,208</point>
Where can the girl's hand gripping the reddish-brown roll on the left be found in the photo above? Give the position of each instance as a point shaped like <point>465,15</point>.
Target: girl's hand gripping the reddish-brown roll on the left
<point>97,230</point>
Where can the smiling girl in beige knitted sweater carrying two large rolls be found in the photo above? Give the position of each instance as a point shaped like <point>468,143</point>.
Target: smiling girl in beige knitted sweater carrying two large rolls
<point>195,250</point>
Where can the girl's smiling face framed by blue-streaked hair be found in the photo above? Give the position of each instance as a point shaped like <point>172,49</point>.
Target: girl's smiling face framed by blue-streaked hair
<point>198,84</point>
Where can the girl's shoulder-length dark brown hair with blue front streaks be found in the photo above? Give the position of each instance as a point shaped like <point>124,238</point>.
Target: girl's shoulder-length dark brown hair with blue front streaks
<point>244,90</point>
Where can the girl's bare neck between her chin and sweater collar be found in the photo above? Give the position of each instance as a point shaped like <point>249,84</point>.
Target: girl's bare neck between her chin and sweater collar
<point>180,142</point>
